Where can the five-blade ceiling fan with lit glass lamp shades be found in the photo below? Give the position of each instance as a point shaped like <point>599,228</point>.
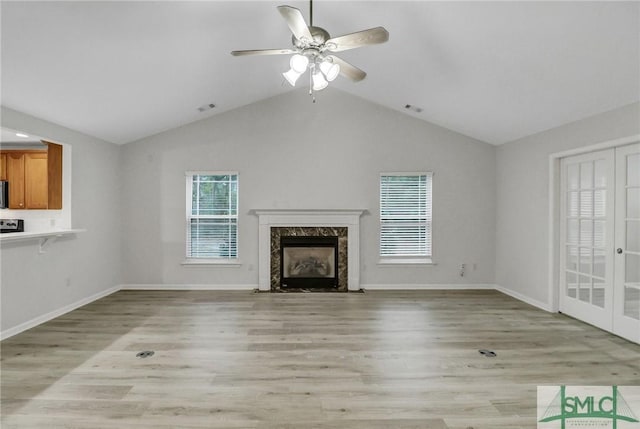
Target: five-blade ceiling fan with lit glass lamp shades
<point>313,49</point>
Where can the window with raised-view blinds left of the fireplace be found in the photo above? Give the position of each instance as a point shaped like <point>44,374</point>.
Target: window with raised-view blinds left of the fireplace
<point>212,216</point>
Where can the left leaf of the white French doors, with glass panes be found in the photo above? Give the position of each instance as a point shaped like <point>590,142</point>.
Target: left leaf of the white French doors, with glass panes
<point>587,231</point>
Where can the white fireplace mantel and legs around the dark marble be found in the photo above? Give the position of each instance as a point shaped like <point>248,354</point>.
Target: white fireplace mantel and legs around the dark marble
<point>283,218</point>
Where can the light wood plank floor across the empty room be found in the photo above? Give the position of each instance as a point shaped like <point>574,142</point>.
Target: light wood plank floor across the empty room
<point>243,360</point>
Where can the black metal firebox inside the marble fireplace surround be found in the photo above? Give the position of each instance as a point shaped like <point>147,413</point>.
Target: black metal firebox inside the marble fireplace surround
<point>308,262</point>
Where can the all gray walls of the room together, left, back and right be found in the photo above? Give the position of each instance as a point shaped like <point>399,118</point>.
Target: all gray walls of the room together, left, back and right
<point>490,204</point>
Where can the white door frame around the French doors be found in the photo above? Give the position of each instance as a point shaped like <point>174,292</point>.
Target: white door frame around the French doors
<point>553,239</point>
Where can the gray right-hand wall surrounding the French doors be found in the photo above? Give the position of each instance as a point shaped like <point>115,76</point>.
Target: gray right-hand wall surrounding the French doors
<point>522,178</point>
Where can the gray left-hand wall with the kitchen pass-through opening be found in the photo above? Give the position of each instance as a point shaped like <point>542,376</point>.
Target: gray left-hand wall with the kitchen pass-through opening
<point>73,268</point>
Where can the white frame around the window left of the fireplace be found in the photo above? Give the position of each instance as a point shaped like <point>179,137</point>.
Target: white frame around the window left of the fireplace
<point>220,261</point>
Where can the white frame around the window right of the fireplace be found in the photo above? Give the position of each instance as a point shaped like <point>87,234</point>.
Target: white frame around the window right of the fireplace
<point>427,258</point>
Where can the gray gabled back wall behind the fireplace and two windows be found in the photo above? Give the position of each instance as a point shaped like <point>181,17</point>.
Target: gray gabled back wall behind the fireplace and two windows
<point>291,153</point>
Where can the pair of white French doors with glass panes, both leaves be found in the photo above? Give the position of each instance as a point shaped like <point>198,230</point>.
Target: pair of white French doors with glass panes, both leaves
<point>600,239</point>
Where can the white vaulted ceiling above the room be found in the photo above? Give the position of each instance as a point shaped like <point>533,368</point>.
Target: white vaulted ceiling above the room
<point>496,71</point>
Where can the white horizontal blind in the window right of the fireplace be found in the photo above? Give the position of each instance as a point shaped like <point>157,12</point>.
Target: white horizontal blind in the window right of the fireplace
<point>405,215</point>
